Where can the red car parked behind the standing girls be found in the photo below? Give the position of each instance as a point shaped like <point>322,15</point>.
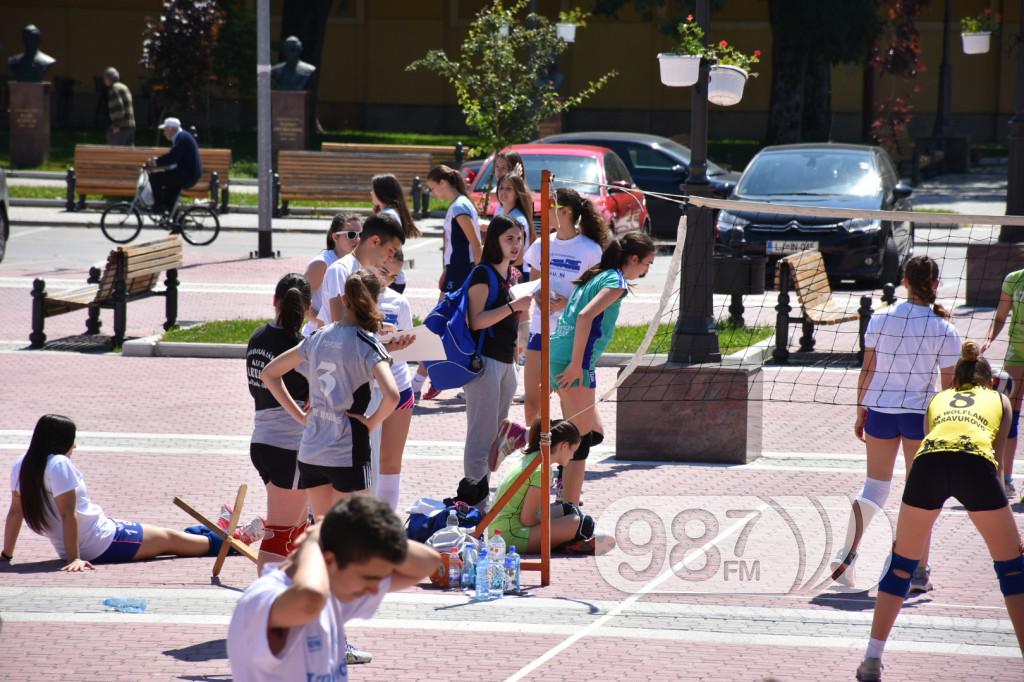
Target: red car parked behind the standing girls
<point>595,173</point>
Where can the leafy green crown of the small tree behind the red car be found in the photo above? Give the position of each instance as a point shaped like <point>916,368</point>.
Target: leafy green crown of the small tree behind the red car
<point>504,83</point>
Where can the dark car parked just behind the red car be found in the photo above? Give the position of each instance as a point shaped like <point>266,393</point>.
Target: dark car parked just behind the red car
<point>657,164</point>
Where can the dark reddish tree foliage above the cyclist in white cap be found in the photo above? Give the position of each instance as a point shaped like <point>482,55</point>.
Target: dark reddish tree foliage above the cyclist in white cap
<point>178,51</point>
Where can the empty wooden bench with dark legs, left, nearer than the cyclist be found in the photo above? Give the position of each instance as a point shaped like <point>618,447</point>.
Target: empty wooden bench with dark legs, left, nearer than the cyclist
<point>131,275</point>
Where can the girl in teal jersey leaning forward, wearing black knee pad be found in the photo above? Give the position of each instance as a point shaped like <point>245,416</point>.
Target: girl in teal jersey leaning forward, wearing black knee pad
<point>584,331</point>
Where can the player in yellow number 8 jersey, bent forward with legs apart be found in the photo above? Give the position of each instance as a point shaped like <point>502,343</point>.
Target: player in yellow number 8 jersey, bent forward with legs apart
<point>967,427</point>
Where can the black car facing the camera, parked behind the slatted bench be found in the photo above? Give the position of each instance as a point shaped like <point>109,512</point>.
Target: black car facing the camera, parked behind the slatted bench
<point>849,177</point>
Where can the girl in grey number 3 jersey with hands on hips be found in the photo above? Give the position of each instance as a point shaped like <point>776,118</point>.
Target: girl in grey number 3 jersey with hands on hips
<point>344,358</point>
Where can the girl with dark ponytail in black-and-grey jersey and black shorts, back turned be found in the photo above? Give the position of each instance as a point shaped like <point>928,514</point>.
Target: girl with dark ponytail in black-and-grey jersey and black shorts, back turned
<point>275,445</point>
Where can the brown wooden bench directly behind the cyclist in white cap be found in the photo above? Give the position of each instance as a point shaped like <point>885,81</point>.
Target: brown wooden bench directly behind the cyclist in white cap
<point>113,172</point>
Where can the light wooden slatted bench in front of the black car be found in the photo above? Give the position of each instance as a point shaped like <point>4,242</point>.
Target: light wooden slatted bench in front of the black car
<point>805,273</point>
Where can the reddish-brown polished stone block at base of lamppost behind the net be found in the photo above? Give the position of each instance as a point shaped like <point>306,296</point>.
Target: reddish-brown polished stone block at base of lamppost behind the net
<point>691,413</point>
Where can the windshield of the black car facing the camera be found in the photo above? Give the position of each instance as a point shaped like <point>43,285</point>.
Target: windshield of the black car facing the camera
<point>812,173</point>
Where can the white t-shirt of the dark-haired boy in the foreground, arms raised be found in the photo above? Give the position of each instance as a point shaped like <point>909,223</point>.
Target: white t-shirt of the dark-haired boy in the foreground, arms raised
<point>315,652</point>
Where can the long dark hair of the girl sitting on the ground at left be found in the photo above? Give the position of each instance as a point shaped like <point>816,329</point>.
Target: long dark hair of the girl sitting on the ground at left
<point>55,435</point>
